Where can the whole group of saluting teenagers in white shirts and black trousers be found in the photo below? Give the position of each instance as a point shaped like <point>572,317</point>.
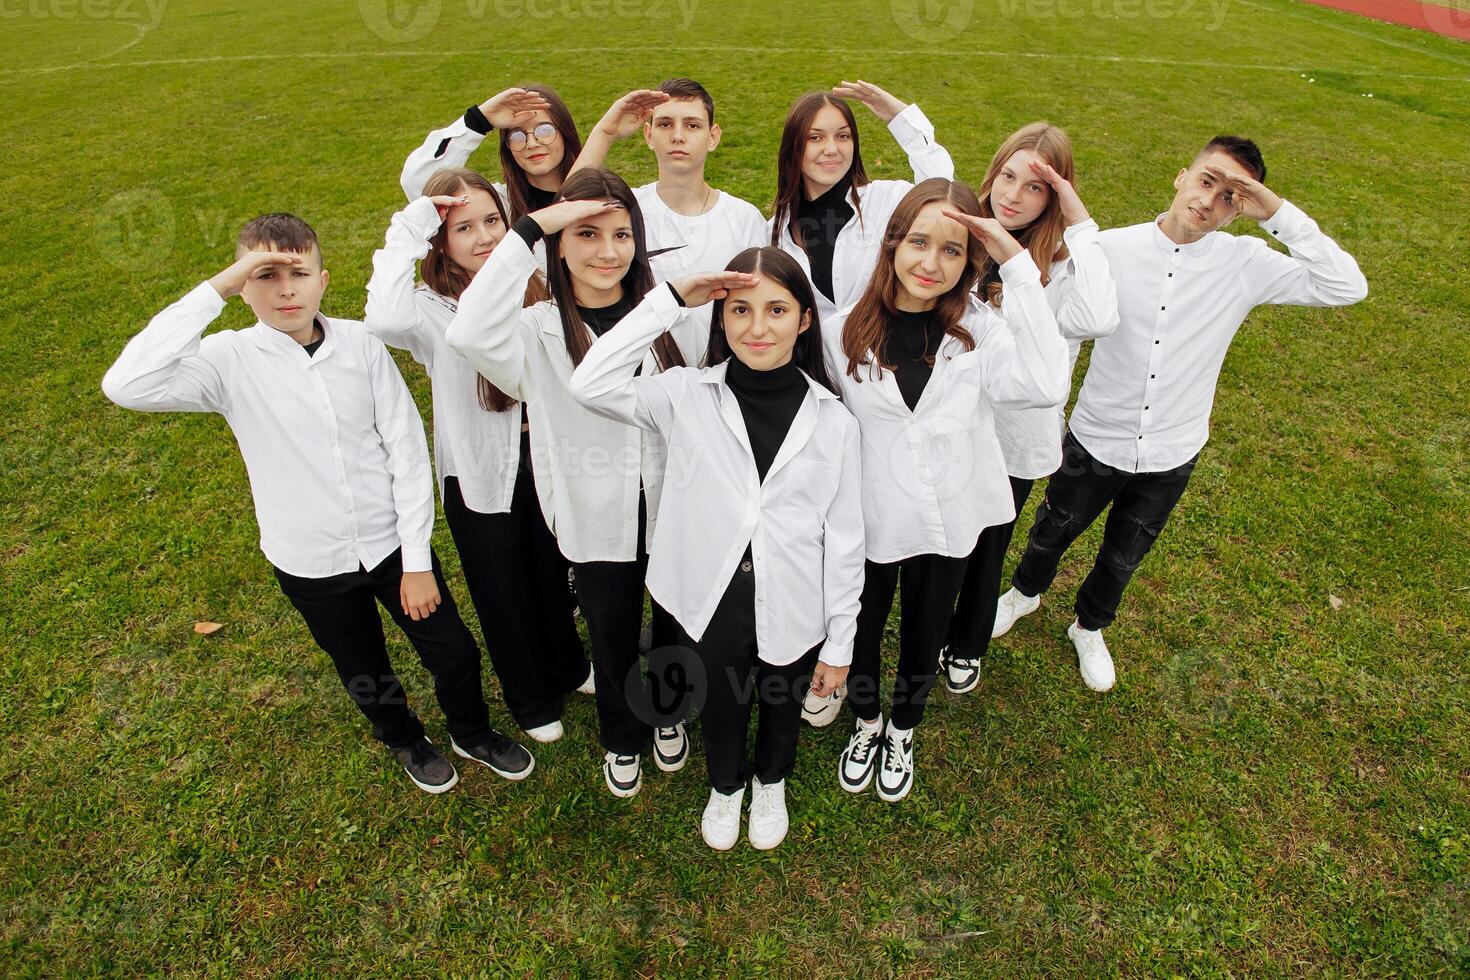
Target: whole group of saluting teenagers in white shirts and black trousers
<point>771,425</point>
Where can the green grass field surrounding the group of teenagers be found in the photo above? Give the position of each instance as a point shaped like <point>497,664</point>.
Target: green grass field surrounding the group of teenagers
<point>1280,785</point>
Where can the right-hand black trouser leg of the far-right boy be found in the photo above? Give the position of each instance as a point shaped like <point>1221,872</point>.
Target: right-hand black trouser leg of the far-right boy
<point>1134,525</point>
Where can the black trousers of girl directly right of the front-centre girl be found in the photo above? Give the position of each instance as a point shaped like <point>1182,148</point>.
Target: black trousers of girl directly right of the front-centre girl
<point>930,587</point>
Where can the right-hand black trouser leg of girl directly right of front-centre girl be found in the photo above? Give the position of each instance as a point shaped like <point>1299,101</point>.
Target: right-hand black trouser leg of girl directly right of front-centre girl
<point>925,602</point>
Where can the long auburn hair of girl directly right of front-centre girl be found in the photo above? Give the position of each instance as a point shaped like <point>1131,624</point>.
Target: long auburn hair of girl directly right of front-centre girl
<point>867,328</point>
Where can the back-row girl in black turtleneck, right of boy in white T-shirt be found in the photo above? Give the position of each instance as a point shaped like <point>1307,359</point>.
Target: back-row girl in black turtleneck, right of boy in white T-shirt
<point>828,215</point>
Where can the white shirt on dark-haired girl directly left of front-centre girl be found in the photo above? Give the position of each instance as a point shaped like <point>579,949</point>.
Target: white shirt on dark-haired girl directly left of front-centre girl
<point>587,468</point>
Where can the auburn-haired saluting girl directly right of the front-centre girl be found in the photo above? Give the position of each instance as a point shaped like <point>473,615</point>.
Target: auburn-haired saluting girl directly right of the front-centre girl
<point>922,368</point>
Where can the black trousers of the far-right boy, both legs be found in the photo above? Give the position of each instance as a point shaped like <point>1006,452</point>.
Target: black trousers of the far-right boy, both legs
<point>1077,494</point>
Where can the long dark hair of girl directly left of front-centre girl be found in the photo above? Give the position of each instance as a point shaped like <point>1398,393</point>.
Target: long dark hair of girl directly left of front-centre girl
<point>602,186</point>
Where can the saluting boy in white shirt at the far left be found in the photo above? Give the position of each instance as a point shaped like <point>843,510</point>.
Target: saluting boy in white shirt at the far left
<point>340,475</point>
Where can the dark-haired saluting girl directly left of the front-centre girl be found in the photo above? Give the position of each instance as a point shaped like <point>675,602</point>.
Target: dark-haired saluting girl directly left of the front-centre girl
<point>593,475</point>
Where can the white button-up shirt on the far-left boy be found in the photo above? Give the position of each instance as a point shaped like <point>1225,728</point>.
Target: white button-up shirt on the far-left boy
<point>333,444</point>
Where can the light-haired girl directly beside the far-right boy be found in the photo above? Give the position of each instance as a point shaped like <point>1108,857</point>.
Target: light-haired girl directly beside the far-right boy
<point>1030,190</point>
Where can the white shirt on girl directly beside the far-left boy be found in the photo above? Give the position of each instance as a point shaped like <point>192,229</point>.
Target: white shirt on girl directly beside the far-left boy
<point>477,447</point>
